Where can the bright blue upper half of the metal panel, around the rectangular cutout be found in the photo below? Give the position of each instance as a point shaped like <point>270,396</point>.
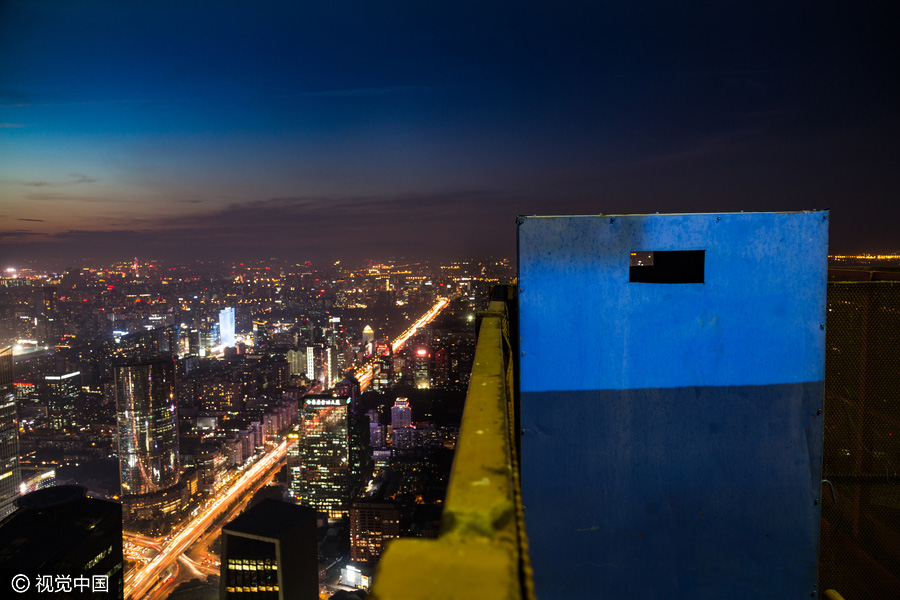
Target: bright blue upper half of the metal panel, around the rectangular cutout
<point>756,319</point>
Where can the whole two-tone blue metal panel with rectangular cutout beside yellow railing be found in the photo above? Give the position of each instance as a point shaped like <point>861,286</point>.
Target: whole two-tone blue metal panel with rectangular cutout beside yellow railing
<point>672,445</point>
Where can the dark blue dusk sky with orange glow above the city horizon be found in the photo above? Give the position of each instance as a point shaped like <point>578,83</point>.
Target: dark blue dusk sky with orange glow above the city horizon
<point>301,130</point>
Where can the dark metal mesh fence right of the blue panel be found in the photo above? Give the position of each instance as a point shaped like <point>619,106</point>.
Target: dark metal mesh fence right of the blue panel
<point>859,555</point>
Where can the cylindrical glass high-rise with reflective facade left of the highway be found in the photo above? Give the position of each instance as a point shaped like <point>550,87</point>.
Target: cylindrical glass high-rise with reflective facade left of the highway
<point>148,435</point>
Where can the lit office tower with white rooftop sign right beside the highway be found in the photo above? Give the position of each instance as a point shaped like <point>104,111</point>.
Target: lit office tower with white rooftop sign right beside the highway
<point>324,452</point>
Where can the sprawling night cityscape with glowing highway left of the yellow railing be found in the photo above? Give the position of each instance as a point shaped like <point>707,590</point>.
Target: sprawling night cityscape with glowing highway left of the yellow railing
<point>183,391</point>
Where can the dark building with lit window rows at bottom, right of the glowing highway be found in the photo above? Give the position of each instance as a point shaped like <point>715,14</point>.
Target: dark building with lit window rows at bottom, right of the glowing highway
<point>270,551</point>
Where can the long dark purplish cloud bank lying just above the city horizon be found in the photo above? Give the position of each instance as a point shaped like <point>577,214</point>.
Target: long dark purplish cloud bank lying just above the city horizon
<point>465,222</point>
